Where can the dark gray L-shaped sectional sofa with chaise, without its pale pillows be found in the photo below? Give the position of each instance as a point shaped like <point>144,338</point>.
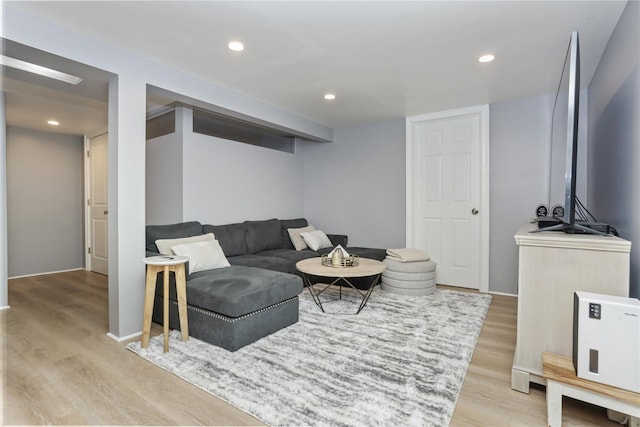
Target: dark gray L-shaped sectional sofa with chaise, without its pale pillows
<point>257,294</point>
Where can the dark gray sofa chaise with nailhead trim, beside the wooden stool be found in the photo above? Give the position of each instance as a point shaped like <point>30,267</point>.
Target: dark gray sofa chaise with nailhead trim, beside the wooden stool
<point>234,306</point>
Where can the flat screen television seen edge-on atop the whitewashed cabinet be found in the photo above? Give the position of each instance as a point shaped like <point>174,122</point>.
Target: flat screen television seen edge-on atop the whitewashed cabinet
<point>564,147</point>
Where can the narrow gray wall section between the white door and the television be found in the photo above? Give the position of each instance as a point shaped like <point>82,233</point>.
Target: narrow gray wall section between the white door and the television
<point>519,181</point>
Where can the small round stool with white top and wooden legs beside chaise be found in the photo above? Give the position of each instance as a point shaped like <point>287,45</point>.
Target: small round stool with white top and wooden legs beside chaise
<point>165,264</point>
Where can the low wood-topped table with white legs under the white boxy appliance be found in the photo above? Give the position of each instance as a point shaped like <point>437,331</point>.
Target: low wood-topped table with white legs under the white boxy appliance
<point>562,381</point>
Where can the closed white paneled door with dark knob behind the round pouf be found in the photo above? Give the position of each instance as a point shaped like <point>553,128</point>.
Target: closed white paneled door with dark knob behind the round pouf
<point>448,198</point>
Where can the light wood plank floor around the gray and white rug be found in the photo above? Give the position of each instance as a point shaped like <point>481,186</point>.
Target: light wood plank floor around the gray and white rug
<point>60,368</point>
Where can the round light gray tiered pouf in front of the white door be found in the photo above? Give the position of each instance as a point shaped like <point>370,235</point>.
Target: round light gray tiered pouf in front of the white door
<point>409,278</point>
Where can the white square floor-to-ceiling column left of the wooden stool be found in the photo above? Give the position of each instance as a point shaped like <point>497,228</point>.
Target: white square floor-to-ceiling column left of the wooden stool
<point>127,105</point>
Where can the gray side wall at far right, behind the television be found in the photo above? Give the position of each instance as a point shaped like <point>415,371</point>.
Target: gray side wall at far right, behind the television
<point>614,136</point>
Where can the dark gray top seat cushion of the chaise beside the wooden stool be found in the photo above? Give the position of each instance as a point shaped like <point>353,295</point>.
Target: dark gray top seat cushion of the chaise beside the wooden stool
<point>236,291</point>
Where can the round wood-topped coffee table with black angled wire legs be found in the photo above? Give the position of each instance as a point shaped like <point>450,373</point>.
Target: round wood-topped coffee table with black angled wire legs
<point>366,267</point>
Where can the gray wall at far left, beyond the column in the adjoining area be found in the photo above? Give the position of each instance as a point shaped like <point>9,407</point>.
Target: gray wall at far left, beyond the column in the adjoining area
<point>45,202</point>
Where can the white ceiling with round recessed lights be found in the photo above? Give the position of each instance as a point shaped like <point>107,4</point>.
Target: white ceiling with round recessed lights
<point>382,59</point>
